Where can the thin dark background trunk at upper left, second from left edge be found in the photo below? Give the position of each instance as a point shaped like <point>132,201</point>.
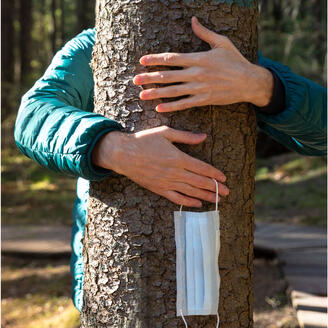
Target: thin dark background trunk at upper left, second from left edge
<point>25,19</point>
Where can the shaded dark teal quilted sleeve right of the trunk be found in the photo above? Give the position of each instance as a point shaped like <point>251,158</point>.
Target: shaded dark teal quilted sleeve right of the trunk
<point>302,126</point>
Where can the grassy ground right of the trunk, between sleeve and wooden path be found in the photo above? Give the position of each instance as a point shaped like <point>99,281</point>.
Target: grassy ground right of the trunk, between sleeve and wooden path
<point>292,189</point>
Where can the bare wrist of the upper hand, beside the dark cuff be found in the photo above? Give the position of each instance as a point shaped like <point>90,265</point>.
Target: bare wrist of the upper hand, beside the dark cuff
<point>261,83</point>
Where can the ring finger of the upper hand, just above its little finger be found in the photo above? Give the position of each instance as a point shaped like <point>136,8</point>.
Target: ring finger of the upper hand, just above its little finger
<point>171,91</point>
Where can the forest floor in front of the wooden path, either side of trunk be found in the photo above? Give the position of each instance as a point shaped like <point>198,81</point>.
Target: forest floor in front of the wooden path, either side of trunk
<point>36,294</point>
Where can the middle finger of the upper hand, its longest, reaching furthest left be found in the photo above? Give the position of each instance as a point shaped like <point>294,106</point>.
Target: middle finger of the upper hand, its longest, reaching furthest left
<point>183,75</point>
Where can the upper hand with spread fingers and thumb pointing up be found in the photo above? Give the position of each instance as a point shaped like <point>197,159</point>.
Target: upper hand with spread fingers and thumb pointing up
<point>220,76</point>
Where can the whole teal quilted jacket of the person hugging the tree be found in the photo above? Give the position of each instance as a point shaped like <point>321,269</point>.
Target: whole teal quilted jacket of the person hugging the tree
<point>57,128</point>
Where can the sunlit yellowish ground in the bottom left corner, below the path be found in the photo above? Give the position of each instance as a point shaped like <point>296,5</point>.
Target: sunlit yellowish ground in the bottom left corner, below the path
<point>36,294</point>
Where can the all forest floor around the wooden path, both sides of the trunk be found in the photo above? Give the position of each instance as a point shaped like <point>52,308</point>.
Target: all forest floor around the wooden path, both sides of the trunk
<point>36,293</point>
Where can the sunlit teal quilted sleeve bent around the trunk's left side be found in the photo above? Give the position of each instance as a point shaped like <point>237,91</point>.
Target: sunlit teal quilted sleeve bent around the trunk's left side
<point>55,126</point>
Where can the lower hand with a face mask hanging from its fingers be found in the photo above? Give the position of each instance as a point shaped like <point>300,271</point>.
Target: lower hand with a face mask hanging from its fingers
<point>151,160</point>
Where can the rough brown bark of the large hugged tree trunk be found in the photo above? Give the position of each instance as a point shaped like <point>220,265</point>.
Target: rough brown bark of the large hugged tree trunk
<point>129,248</point>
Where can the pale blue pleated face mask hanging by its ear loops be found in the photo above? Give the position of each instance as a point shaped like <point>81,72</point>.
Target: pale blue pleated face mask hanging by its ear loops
<point>197,238</point>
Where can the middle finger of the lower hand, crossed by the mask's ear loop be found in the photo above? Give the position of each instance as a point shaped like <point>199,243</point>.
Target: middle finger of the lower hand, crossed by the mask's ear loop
<point>203,182</point>
